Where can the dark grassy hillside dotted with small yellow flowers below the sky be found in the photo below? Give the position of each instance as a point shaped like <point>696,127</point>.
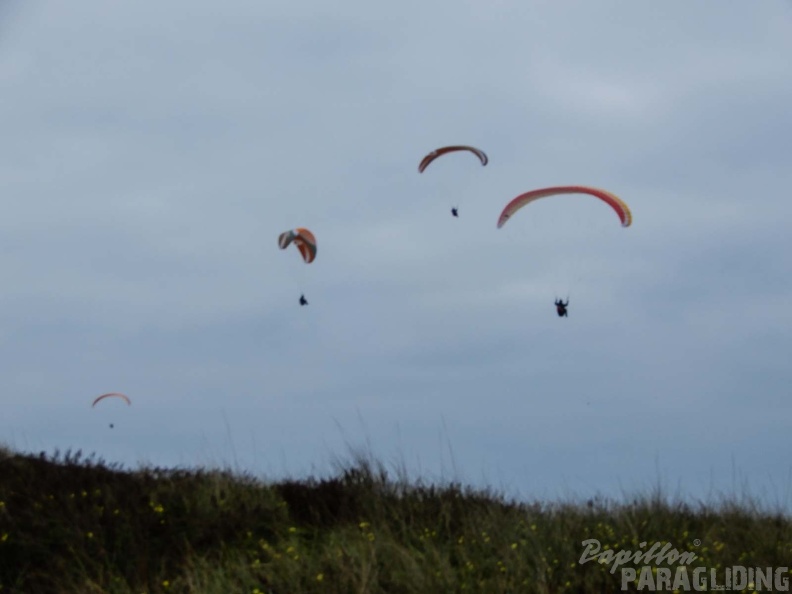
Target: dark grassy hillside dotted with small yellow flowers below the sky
<point>74,525</point>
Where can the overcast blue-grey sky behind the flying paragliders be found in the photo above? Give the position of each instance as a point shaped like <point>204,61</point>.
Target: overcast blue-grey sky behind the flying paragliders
<point>151,153</point>
